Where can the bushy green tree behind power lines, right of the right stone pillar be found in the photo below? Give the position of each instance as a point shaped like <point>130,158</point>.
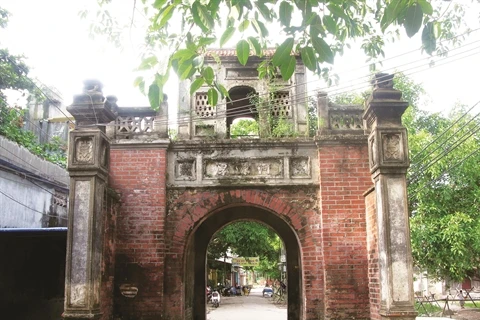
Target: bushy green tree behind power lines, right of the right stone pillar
<point>444,184</point>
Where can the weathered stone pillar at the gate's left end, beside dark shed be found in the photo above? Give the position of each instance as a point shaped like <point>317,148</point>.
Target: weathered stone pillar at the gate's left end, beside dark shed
<point>88,168</point>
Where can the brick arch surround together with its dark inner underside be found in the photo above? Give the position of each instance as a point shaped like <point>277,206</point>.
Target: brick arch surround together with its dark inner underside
<point>195,216</point>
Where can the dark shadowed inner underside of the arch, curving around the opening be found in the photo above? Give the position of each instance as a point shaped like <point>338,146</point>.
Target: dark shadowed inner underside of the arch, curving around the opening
<point>195,262</point>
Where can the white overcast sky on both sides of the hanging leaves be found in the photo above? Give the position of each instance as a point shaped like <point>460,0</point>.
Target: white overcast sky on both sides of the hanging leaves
<point>61,54</point>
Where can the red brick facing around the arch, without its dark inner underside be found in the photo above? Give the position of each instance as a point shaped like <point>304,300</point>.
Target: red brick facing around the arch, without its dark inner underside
<point>189,207</point>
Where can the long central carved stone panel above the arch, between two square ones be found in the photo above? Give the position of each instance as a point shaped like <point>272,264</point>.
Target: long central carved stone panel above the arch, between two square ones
<point>234,168</point>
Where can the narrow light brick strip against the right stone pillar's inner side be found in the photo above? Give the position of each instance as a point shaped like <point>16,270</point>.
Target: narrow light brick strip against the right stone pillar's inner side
<point>372,247</point>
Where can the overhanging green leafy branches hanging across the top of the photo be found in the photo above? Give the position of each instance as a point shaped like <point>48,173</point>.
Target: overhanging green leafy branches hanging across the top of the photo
<point>315,30</point>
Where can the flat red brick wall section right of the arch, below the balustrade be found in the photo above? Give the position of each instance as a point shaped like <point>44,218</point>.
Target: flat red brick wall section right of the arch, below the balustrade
<point>344,177</point>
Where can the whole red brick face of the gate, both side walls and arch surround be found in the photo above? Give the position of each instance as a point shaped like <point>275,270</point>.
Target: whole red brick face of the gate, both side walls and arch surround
<point>154,226</point>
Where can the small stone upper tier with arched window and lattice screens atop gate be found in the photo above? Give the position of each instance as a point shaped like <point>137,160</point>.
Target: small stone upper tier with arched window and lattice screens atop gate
<point>248,94</point>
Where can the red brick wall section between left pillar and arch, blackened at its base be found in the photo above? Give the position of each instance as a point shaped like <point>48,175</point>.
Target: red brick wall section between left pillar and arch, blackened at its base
<point>139,176</point>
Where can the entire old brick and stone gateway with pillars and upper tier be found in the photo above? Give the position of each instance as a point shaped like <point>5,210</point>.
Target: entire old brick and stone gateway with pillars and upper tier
<point>338,201</point>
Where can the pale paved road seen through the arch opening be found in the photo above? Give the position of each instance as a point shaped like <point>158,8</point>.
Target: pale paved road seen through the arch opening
<point>249,307</point>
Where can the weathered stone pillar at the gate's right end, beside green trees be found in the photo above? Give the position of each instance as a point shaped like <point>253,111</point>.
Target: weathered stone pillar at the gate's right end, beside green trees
<point>388,153</point>
